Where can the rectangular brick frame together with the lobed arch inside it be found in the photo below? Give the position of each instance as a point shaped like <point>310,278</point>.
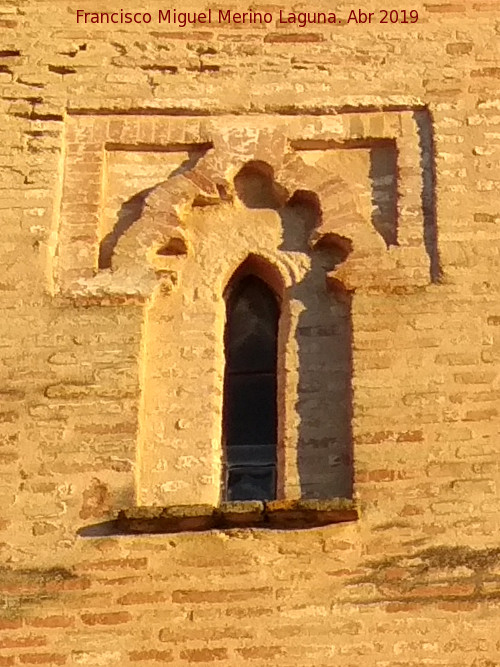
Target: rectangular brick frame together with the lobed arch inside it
<point>234,141</point>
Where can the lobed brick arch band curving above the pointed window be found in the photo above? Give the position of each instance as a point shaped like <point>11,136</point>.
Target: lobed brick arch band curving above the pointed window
<point>162,223</point>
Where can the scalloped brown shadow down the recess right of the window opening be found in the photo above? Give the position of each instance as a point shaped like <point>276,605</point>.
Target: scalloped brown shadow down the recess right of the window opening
<point>323,334</point>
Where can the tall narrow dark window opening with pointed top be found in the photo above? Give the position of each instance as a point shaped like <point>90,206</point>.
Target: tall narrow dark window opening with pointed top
<point>250,427</point>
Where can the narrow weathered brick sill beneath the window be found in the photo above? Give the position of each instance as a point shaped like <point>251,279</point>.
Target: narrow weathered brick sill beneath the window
<point>271,515</point>
